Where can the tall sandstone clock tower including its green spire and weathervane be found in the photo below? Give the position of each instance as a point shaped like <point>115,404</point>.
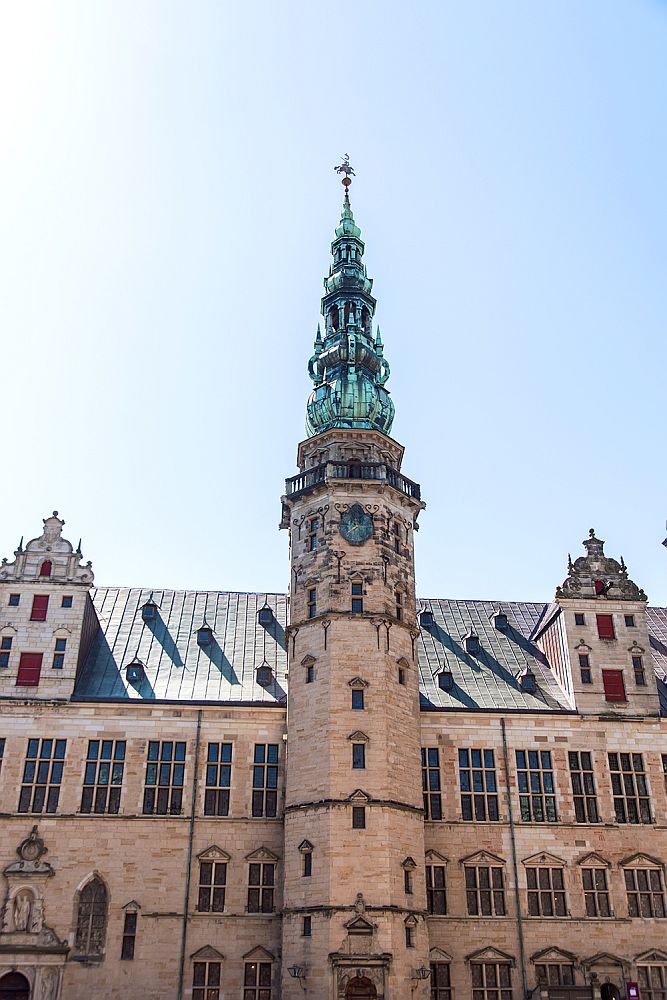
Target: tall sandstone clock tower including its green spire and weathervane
<point>354,894</point>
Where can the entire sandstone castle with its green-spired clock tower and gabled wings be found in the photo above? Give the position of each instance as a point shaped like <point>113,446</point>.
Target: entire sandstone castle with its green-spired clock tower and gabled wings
<point>456,799</point>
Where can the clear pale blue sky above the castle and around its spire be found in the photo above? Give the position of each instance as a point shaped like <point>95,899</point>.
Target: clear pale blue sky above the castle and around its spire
<point>167,201</point>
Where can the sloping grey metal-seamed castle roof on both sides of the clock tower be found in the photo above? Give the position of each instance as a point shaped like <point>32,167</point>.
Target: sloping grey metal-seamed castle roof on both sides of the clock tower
<point>176,668</point>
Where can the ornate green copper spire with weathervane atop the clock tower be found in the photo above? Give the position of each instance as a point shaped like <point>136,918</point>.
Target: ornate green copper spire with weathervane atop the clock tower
<point>348,367</point>
